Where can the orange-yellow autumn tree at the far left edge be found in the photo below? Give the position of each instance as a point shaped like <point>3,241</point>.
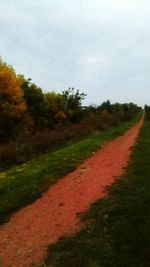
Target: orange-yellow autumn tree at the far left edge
<point>12,105</point>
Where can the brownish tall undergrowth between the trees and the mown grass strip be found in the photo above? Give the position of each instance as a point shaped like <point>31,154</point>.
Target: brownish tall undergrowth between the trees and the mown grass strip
<point>28,145</point>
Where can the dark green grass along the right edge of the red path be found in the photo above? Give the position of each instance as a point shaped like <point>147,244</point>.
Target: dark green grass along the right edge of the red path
<point>118,232</point>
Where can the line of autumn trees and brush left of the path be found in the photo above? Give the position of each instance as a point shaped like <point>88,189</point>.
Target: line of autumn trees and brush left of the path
<point>32,121</point>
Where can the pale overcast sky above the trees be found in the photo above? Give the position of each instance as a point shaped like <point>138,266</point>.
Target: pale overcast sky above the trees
<point>101,47</point>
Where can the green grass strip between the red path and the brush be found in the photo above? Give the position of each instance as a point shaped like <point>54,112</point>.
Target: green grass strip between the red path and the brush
<point>22,185</point>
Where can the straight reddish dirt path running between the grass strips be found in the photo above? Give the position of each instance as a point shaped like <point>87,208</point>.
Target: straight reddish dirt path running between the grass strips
<point>24,240</point>
